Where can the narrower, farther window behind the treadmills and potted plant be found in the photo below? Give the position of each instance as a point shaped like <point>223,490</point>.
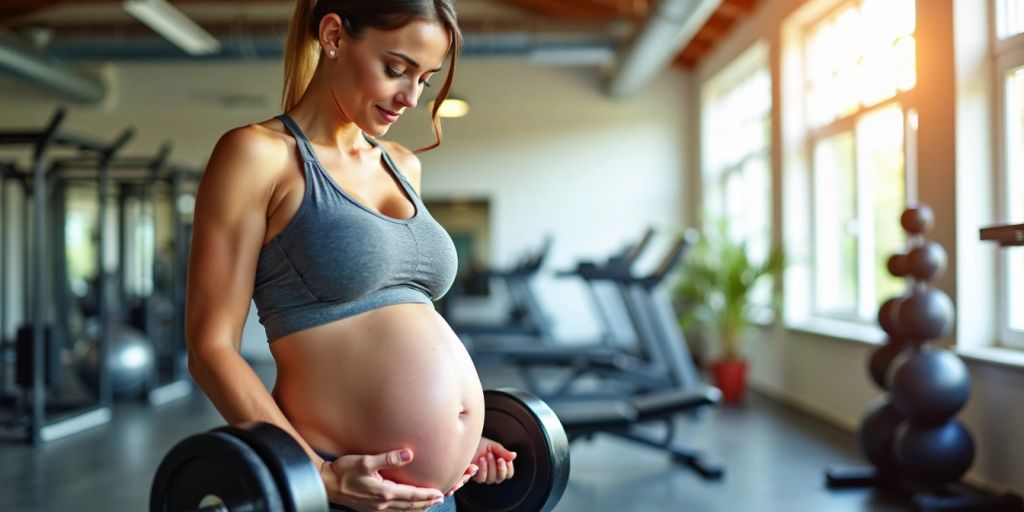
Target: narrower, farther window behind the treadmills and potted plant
<point>737,169</point>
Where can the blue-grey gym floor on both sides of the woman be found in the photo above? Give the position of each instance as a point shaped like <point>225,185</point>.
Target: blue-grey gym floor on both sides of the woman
<point>775,459</point>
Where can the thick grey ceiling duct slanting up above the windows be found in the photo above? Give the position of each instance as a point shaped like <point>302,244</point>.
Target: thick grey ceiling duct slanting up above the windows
<point>669,28</point>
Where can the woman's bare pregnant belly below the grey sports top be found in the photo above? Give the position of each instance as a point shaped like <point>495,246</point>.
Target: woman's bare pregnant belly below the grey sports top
<point>394,378</point>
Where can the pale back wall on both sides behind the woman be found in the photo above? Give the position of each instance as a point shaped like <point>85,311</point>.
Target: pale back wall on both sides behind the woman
<point>552,154</point>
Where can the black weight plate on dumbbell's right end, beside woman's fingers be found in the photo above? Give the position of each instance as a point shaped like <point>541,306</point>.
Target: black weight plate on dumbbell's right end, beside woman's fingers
<point>527,425</point>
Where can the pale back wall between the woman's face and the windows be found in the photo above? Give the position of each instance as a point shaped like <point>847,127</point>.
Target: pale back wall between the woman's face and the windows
<point>556,156</point>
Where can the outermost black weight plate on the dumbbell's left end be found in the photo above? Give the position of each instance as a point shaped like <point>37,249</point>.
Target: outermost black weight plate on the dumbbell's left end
<point>214,468</point>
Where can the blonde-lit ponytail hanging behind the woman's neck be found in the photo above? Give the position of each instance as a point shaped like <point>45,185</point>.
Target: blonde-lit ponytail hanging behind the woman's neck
<point>302,54</point>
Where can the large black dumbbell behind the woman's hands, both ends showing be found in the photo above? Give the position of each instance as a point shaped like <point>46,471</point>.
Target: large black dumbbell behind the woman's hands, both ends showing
<point>260,467</point>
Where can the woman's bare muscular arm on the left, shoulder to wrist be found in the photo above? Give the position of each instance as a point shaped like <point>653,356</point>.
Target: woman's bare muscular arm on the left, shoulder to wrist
<point>229,230</point>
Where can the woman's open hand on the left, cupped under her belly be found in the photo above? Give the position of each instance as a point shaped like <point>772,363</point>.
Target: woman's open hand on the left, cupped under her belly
<point>355,481</point>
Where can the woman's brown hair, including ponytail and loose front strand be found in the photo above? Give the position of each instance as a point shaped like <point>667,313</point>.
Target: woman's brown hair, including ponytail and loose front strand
<point>303,49</point>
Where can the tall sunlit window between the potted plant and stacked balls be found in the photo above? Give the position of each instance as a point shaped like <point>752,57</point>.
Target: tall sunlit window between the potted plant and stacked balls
<point>856,63</point>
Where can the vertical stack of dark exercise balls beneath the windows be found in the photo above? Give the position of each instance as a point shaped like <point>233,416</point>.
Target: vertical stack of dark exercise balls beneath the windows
<point>912,433</point>
